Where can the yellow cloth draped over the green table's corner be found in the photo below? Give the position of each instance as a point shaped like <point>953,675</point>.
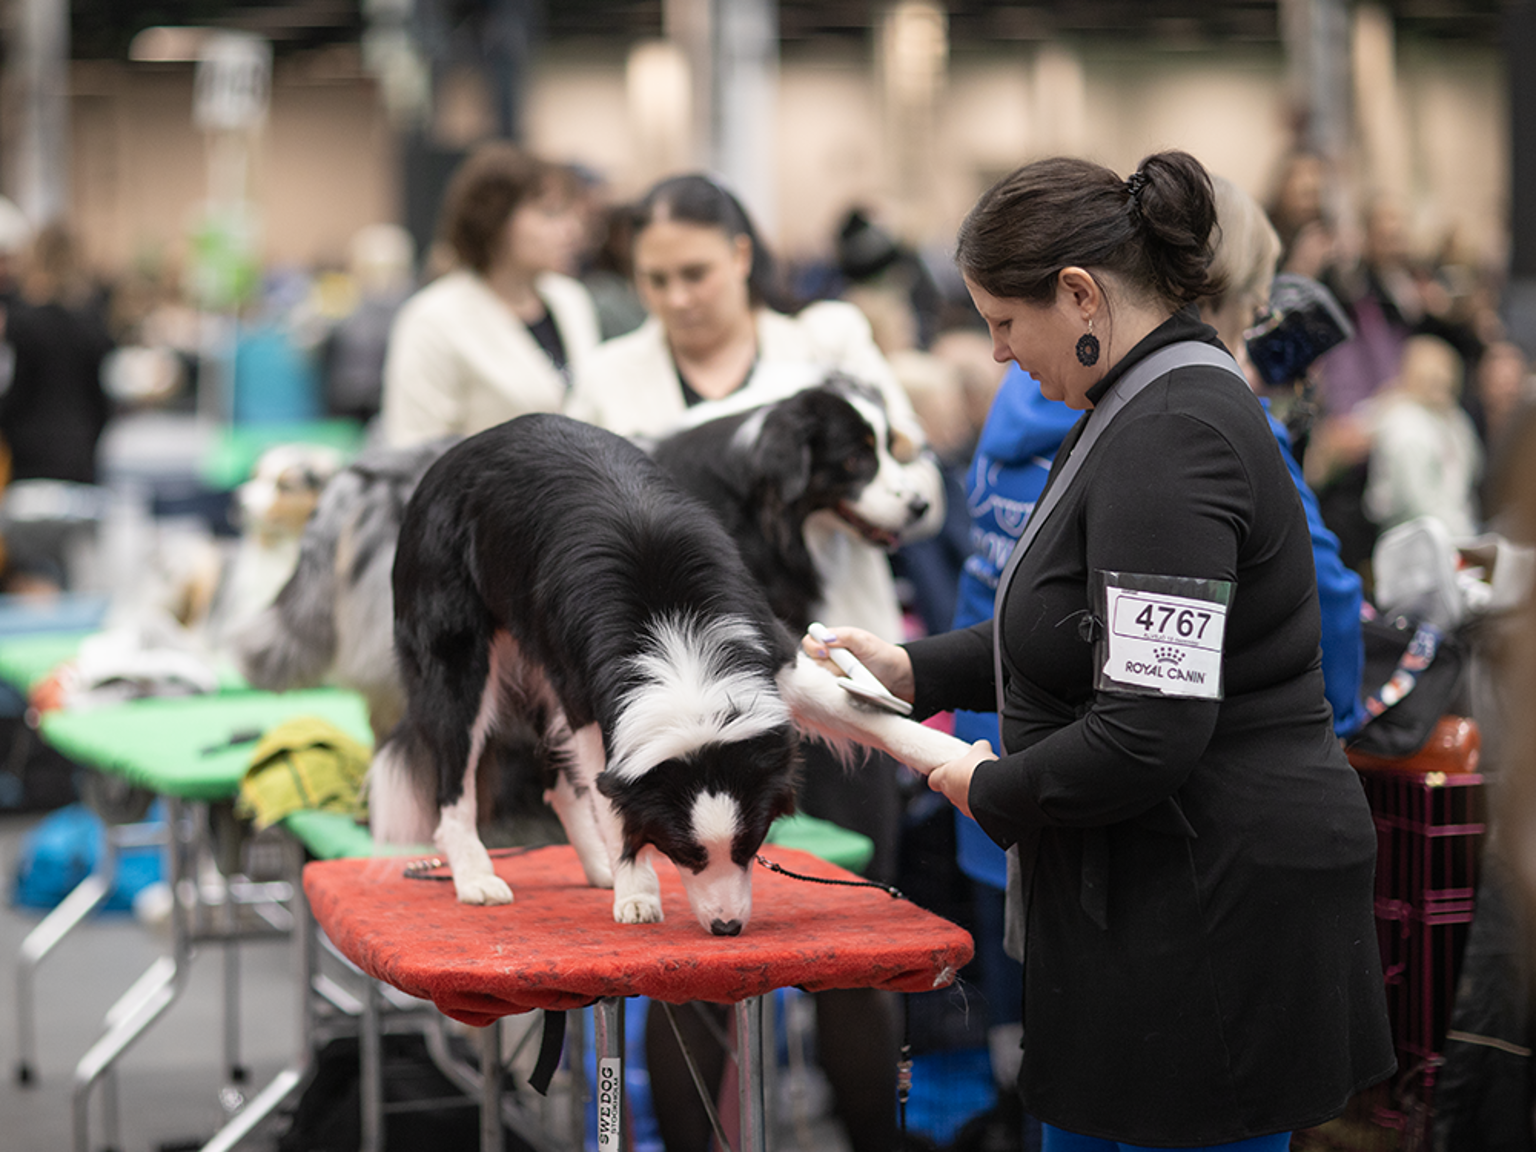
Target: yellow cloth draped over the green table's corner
<point>300,764</point>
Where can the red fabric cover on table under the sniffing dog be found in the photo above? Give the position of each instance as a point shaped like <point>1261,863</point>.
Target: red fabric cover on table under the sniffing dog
<point>558,945</point>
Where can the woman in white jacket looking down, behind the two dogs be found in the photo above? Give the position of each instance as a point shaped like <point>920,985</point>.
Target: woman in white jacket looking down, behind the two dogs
<point>718,329</point>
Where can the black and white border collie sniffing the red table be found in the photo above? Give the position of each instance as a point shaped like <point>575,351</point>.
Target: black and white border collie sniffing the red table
<point>551,574</point>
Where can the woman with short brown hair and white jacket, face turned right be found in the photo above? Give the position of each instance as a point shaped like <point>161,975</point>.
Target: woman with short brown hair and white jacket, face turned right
<point>502,334</point>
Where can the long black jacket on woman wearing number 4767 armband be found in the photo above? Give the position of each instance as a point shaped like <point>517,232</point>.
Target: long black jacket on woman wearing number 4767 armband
<point>1202,959</point>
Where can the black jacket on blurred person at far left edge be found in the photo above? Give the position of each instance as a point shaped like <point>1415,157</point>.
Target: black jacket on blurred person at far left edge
<point>55,411</point>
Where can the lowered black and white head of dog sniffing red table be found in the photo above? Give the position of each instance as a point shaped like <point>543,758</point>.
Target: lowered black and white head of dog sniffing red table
<point>703,760</point>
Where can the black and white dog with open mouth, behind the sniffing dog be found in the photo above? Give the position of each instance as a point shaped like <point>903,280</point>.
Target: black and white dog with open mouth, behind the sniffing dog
<point>769,469</point>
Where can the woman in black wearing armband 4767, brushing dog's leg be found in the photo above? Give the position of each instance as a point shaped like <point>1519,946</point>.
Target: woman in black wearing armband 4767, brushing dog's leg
<point>1194,858</point>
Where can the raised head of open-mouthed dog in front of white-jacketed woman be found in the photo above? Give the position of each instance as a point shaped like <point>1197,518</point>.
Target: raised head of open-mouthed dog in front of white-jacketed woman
<point>835,449</point>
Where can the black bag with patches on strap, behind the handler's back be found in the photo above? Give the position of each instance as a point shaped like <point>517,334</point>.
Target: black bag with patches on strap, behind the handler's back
<point>1412,678</point>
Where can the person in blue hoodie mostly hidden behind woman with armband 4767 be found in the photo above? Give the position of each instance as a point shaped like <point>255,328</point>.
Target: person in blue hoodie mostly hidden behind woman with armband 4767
<point>1008,472</point>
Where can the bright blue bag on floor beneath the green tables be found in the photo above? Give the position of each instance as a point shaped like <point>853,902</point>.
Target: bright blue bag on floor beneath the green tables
<point>65,849</point>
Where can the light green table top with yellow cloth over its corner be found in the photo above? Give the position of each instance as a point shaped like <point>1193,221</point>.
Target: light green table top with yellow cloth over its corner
<point>193,747</point>
